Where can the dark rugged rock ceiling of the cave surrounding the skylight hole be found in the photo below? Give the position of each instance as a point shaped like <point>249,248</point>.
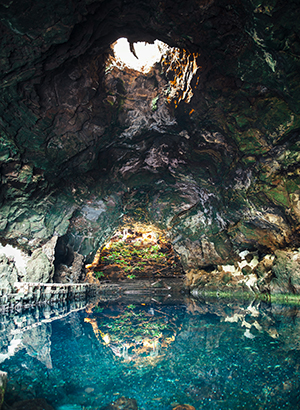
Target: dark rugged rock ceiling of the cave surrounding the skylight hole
<point>205,146</point>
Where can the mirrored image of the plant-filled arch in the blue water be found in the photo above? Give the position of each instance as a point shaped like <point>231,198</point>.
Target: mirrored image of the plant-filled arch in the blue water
<point>139,334</point>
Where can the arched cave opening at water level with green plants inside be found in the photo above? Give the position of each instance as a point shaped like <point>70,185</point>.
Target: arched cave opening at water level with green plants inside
<point>136,251</point>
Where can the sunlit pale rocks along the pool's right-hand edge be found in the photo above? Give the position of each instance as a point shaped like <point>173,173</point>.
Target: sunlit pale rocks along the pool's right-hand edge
<point>271,275</point>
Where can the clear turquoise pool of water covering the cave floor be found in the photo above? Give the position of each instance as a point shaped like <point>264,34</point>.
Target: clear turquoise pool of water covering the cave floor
<point>208,354</point>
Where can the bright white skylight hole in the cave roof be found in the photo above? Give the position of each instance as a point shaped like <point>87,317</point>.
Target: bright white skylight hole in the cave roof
<point>139,56</point>
